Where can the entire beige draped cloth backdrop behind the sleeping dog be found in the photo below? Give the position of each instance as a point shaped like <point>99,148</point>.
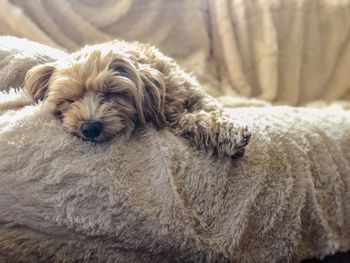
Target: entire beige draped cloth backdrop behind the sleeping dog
<point>284,51</point>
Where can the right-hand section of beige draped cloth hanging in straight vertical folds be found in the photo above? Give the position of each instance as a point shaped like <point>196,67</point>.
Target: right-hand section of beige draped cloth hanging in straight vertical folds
<point>287,51</point>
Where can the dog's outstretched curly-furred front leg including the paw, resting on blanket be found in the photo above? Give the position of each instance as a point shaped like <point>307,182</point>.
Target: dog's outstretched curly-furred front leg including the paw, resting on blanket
<point>213,130</point>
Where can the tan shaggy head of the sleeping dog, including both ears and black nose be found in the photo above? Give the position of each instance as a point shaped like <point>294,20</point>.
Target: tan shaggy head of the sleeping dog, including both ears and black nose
<point>102,90</point>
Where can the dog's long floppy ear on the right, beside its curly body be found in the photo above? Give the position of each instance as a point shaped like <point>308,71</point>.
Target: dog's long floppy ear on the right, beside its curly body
<point>153,98</point>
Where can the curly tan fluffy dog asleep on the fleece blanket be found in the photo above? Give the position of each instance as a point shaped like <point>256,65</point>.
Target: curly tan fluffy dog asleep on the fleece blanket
<point>111,88</point>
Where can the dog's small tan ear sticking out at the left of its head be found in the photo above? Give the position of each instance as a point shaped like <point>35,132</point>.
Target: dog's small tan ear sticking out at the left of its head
<point>37,79</point>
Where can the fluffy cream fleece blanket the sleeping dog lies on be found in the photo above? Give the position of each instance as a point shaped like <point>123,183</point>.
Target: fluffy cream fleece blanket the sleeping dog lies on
<point>154,198</point>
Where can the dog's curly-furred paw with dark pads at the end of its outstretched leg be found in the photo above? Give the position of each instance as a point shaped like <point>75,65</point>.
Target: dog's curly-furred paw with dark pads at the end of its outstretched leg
<point>232,140</point>
